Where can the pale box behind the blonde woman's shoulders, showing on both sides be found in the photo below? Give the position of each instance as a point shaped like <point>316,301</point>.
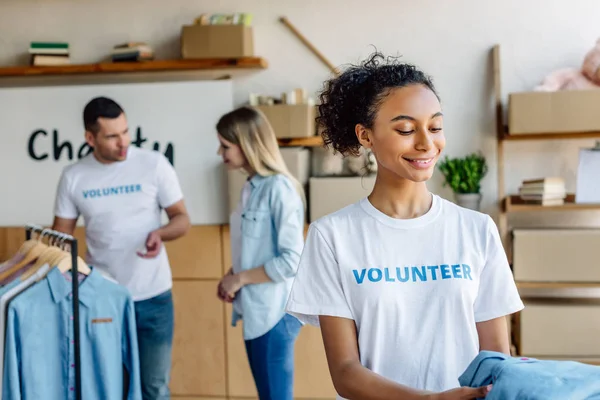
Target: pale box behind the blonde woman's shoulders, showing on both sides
<point>296,159</point>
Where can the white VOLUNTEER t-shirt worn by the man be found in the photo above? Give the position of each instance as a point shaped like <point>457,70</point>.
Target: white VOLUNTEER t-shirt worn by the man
<point>120,204</point>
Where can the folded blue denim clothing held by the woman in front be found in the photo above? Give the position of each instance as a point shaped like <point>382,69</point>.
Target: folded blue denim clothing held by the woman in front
<point>525,378</point>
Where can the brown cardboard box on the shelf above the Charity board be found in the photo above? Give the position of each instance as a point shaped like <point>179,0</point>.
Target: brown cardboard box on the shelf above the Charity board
<point>217,41</point>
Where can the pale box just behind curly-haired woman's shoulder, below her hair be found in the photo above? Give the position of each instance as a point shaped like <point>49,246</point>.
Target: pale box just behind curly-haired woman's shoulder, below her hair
<point>328,195</point>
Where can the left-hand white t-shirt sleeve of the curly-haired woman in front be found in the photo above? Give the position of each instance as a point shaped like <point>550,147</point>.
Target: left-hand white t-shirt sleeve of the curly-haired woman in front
<point>317,288</point>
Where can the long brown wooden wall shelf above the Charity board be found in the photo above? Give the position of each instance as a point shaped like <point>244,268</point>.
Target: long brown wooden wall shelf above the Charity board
<point>247,63</point>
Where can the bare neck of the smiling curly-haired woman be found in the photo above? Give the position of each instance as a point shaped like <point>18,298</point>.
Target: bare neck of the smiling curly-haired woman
<point>400,198</point>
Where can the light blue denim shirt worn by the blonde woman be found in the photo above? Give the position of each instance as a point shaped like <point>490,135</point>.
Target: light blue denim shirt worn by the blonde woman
<point>273,237</point>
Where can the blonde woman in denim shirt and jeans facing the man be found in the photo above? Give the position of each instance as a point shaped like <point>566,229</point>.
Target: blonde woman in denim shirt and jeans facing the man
<point>266,243</point>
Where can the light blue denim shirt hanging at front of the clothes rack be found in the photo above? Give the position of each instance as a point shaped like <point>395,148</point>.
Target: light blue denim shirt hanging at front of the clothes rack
<point>39,352</point>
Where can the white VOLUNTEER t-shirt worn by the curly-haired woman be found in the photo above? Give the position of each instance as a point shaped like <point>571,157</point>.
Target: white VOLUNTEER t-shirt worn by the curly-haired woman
<point>414,287</point>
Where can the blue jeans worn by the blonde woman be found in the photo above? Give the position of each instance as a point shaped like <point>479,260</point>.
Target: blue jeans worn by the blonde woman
<point>271,358</point>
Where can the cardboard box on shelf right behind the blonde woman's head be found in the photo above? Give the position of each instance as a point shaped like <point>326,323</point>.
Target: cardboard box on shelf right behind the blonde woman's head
<point>291,121</point>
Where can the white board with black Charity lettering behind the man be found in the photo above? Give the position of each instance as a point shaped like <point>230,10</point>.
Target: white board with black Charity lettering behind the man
<point>41,131</point>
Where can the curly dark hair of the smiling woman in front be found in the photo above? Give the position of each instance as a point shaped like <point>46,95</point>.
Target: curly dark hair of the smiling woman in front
<point>354,97</point>
